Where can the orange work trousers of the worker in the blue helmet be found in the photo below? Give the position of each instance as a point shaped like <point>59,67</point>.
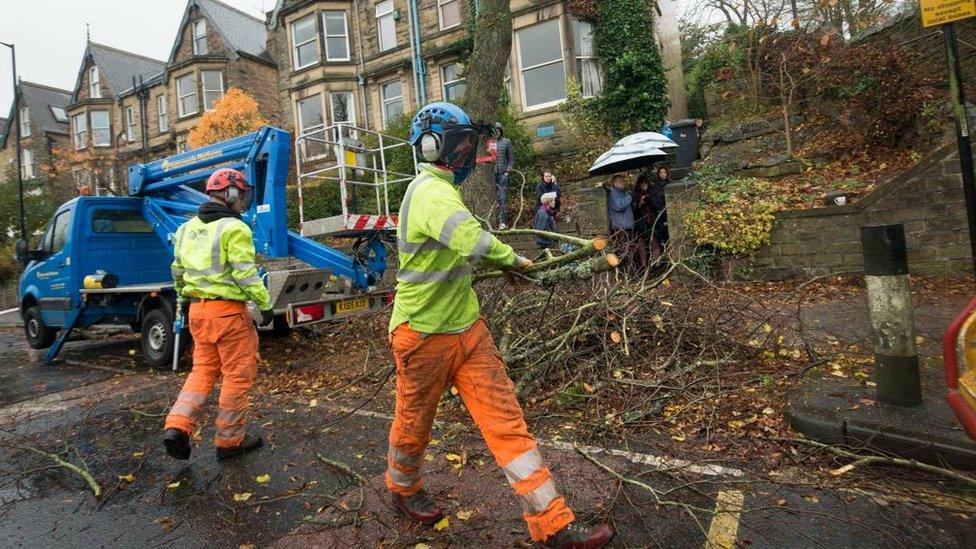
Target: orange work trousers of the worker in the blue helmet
<point>471,362</point>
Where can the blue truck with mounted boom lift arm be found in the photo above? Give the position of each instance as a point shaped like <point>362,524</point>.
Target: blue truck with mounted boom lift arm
<point>126,242</point>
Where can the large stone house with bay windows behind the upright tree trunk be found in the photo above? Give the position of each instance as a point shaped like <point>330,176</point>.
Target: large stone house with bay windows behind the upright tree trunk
<point>370,61</point>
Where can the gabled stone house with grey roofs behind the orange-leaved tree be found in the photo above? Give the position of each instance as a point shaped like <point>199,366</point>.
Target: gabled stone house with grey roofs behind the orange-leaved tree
<point>128,108</point>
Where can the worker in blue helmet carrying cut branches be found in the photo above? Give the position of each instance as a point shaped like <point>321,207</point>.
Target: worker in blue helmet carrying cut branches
<point>436,327</point>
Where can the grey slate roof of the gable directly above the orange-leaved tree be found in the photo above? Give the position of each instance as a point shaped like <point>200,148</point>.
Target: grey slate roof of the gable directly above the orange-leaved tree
<point>243,33</point>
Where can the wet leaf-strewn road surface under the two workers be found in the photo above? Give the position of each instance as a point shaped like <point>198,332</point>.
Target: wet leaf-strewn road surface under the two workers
<point>103,409</point>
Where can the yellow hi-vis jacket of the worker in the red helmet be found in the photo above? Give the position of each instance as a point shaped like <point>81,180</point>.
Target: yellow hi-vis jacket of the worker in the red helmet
<point>216,261</point>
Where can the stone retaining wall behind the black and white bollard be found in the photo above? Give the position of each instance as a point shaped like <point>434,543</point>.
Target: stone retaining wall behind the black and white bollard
<point>927,199</point>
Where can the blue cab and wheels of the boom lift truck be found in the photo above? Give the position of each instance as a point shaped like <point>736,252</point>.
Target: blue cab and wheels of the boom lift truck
<point>90,235</point>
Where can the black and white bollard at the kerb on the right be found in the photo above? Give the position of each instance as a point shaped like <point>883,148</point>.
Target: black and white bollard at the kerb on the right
<point>892,316</point>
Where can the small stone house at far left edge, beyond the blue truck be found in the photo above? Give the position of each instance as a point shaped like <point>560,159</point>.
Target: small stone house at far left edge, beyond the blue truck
<point>43,129</point>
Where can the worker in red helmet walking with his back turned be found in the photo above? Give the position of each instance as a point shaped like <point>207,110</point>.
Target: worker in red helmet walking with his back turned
<point>215,275</point>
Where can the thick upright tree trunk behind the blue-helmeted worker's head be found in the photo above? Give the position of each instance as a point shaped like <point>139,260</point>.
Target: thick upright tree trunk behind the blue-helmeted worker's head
<point>485,79</point>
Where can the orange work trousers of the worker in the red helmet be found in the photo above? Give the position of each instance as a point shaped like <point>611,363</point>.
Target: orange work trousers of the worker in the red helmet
<point>225,346</point>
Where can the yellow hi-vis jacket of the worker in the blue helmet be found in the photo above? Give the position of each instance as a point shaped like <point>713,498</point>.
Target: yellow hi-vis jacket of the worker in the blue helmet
<point>439,243</point>
